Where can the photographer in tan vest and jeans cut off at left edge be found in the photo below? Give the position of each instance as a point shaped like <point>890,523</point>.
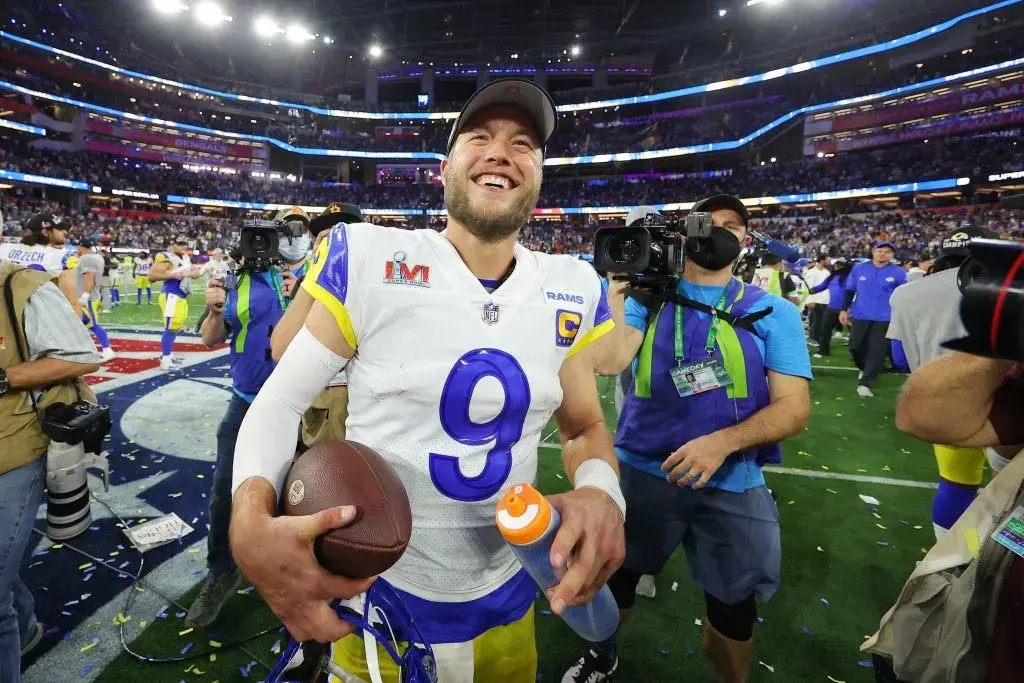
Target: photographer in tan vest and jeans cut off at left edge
<point>39,324</point>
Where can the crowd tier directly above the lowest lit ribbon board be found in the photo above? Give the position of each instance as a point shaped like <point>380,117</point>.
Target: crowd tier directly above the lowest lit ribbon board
<point>973,157</point>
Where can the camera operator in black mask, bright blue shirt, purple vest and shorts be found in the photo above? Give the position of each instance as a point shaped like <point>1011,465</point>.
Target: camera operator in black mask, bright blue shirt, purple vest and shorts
<point>711,401</point>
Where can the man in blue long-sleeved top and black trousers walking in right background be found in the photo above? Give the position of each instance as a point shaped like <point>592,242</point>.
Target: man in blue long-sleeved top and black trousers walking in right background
<point>866,307</point>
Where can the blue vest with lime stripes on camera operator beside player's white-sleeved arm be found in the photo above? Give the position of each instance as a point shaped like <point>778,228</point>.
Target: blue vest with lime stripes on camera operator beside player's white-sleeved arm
<point>253,310</point>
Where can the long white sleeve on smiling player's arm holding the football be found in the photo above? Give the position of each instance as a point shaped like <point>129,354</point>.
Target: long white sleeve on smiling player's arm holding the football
<point>266,446</point>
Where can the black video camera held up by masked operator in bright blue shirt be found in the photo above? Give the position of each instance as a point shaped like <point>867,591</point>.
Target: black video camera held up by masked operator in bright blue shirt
<point>652,249</point>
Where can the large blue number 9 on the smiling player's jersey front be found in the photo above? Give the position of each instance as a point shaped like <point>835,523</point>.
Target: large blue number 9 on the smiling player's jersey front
<point>504,430</point>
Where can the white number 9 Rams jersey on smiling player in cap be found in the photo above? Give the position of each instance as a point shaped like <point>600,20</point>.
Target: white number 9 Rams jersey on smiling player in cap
<point>453,385</point>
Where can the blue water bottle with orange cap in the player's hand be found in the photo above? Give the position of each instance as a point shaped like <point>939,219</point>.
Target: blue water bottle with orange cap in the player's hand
<point>530,524</point>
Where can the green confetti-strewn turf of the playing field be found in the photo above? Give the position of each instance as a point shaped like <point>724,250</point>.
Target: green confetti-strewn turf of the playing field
<point>844,562</point>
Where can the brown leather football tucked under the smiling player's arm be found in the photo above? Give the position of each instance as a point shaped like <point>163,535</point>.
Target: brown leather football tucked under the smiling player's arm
<point>336,474</point>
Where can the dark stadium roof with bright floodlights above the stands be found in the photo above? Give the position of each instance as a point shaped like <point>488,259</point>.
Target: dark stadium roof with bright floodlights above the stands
<point>675,35</point>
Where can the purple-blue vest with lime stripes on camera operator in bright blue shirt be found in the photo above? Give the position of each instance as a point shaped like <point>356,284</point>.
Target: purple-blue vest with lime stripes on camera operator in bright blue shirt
<point>660,421</point>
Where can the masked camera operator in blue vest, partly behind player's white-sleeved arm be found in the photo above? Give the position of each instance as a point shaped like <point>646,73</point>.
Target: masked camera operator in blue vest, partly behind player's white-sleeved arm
<point>244,315</point>
